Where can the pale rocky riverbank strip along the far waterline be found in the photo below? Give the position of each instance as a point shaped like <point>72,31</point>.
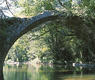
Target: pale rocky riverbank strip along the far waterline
<point>38,62</point>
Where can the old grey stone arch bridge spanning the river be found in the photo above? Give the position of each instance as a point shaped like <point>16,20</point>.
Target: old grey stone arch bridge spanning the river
<point>20,26</point>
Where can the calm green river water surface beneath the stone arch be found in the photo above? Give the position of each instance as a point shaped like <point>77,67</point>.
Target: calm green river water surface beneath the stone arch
<point>38,72</point>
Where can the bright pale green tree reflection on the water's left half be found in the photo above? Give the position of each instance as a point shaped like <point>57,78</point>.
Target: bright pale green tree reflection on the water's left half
<point>28,73</point>
